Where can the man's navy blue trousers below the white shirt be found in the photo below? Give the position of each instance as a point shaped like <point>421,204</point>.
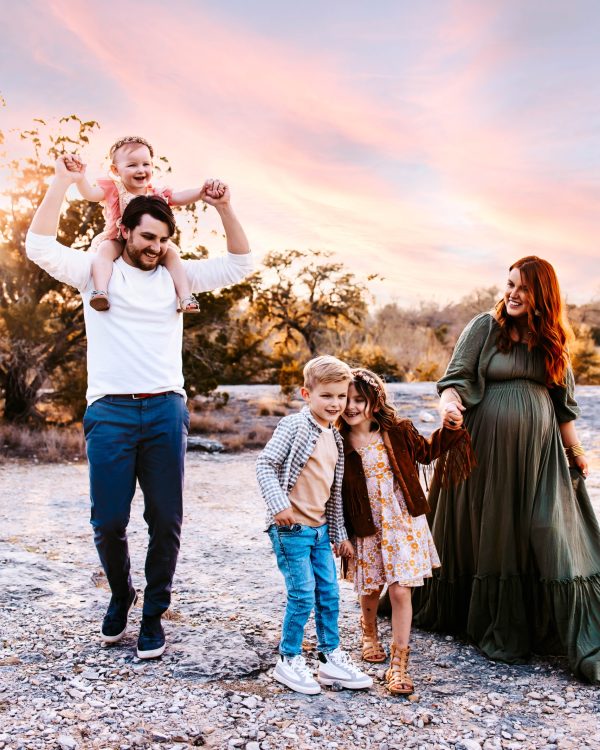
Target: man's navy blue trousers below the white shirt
<point>143,440</point>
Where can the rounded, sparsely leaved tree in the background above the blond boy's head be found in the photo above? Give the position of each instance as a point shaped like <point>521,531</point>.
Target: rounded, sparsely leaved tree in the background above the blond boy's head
<point>302,296</point>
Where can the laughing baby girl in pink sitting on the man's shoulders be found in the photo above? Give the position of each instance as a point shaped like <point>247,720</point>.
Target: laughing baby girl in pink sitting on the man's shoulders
<point>131,174</point>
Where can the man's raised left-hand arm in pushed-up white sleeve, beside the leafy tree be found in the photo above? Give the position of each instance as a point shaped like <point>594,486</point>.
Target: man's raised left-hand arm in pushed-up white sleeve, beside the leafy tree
<point>63,263</point>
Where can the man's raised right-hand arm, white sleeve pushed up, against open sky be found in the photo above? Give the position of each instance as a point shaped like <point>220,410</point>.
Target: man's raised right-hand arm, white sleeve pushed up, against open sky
<point>214,273</point>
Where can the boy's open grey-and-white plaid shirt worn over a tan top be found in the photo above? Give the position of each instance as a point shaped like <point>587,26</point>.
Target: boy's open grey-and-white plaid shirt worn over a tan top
<point>283,458</point>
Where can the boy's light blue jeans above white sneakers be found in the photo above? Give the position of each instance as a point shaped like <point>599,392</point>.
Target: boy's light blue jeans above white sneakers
<point>306,561</point>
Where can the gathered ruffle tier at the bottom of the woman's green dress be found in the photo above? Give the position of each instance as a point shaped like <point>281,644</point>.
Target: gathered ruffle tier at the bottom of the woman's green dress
<point>532,616</point>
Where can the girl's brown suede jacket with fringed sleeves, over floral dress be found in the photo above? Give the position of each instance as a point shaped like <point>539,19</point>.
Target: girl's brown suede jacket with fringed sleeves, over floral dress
<point>406,449</point>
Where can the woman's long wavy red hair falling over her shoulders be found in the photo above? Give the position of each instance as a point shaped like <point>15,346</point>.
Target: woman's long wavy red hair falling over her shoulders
<point>546,318</point>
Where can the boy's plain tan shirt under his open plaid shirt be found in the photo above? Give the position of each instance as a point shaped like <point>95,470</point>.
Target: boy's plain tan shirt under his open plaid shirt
<point>313,487</point>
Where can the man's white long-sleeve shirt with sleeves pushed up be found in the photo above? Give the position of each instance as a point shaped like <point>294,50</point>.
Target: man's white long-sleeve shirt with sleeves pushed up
<point>135,347</point>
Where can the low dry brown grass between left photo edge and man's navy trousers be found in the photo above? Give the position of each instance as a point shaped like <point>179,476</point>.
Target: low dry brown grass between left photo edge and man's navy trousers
<point>51,444</point>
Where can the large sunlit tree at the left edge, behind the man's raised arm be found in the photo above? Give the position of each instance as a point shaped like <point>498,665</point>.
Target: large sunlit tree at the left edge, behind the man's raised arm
<point>41,320</point>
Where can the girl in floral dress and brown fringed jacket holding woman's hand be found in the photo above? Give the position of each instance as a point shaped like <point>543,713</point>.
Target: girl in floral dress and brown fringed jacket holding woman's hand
<point>383,510</point>
